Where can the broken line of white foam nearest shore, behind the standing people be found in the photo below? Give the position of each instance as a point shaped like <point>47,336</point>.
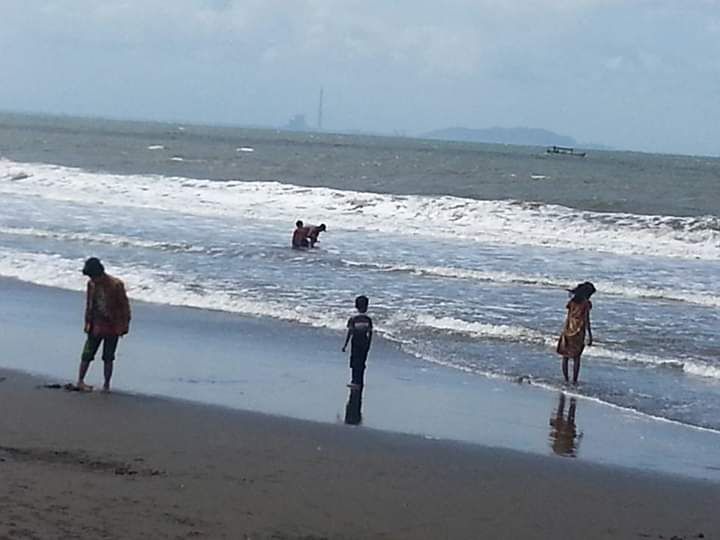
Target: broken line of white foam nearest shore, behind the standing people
<point>163,287</point>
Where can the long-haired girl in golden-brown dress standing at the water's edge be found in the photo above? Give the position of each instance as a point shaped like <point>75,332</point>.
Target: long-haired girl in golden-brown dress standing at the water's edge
<point>572,340</point>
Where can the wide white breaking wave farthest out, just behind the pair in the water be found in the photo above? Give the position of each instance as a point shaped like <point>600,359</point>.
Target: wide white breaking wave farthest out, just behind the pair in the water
<point>503,222</point>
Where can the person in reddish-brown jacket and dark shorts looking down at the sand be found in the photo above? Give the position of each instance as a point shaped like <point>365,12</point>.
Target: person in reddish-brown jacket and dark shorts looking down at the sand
<point>107,317</point>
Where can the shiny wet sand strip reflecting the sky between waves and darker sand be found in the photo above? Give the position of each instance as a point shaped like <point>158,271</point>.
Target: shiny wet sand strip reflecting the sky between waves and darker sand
<point>286,370</point>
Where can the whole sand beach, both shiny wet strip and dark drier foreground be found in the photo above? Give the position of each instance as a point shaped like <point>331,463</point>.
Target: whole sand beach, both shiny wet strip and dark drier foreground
<point>128,465</point>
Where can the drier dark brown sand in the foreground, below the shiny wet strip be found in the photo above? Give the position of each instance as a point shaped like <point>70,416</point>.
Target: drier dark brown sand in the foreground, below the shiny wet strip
<point>122,466</point>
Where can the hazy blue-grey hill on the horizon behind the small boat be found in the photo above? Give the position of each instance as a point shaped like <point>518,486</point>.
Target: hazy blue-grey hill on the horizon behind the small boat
<point>499,135</point>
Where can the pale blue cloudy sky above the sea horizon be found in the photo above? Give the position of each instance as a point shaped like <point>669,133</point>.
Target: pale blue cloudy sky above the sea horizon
<point>635,74</point>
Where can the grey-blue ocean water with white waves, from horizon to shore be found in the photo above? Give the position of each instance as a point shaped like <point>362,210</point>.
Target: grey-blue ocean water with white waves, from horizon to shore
<point>464,250</point>
